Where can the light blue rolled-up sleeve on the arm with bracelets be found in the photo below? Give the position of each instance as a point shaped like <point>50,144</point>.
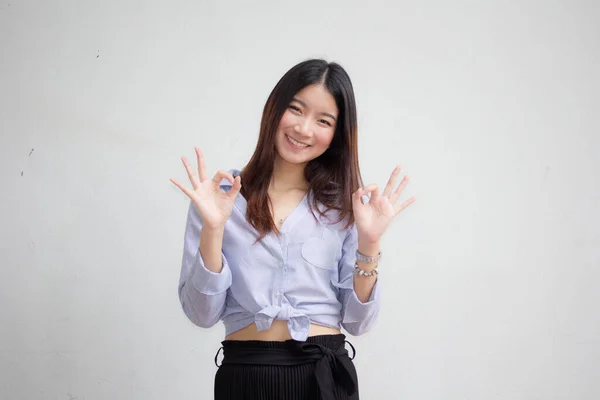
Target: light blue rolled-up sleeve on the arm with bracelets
<point>357,317</point>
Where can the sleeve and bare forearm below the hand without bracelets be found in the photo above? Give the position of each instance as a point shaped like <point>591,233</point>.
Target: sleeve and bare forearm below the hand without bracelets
<point>205,274</point>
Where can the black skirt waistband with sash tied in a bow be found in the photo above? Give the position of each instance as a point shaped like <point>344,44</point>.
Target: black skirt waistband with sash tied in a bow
<point>332,362</point>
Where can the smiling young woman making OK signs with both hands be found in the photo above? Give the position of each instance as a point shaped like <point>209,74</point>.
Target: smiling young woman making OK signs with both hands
<point>285,251</point>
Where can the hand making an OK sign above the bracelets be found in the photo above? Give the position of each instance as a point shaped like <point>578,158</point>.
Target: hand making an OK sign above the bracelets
<point>373,218</point>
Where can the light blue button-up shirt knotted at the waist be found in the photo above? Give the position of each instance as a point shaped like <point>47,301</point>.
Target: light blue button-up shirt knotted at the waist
<point>303,276</point>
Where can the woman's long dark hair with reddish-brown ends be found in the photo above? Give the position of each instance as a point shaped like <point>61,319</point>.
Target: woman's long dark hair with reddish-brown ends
<point>334,175</point>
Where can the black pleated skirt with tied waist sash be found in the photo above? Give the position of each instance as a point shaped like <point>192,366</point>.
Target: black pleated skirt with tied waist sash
<point>318,369</point>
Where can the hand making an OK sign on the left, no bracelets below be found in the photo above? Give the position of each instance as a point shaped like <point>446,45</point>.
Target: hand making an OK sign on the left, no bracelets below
<point>212,203</point>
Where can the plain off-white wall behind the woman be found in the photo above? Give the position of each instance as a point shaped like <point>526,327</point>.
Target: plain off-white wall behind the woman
<point>491,279</point>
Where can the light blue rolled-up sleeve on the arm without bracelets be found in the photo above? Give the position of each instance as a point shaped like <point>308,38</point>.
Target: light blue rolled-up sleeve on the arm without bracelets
<point>202,293</point>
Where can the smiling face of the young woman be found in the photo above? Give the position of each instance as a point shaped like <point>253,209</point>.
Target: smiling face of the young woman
<point>307,126</point>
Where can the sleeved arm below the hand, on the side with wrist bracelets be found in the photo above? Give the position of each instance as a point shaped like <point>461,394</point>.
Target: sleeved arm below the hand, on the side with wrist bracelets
<point>359,295</point>
